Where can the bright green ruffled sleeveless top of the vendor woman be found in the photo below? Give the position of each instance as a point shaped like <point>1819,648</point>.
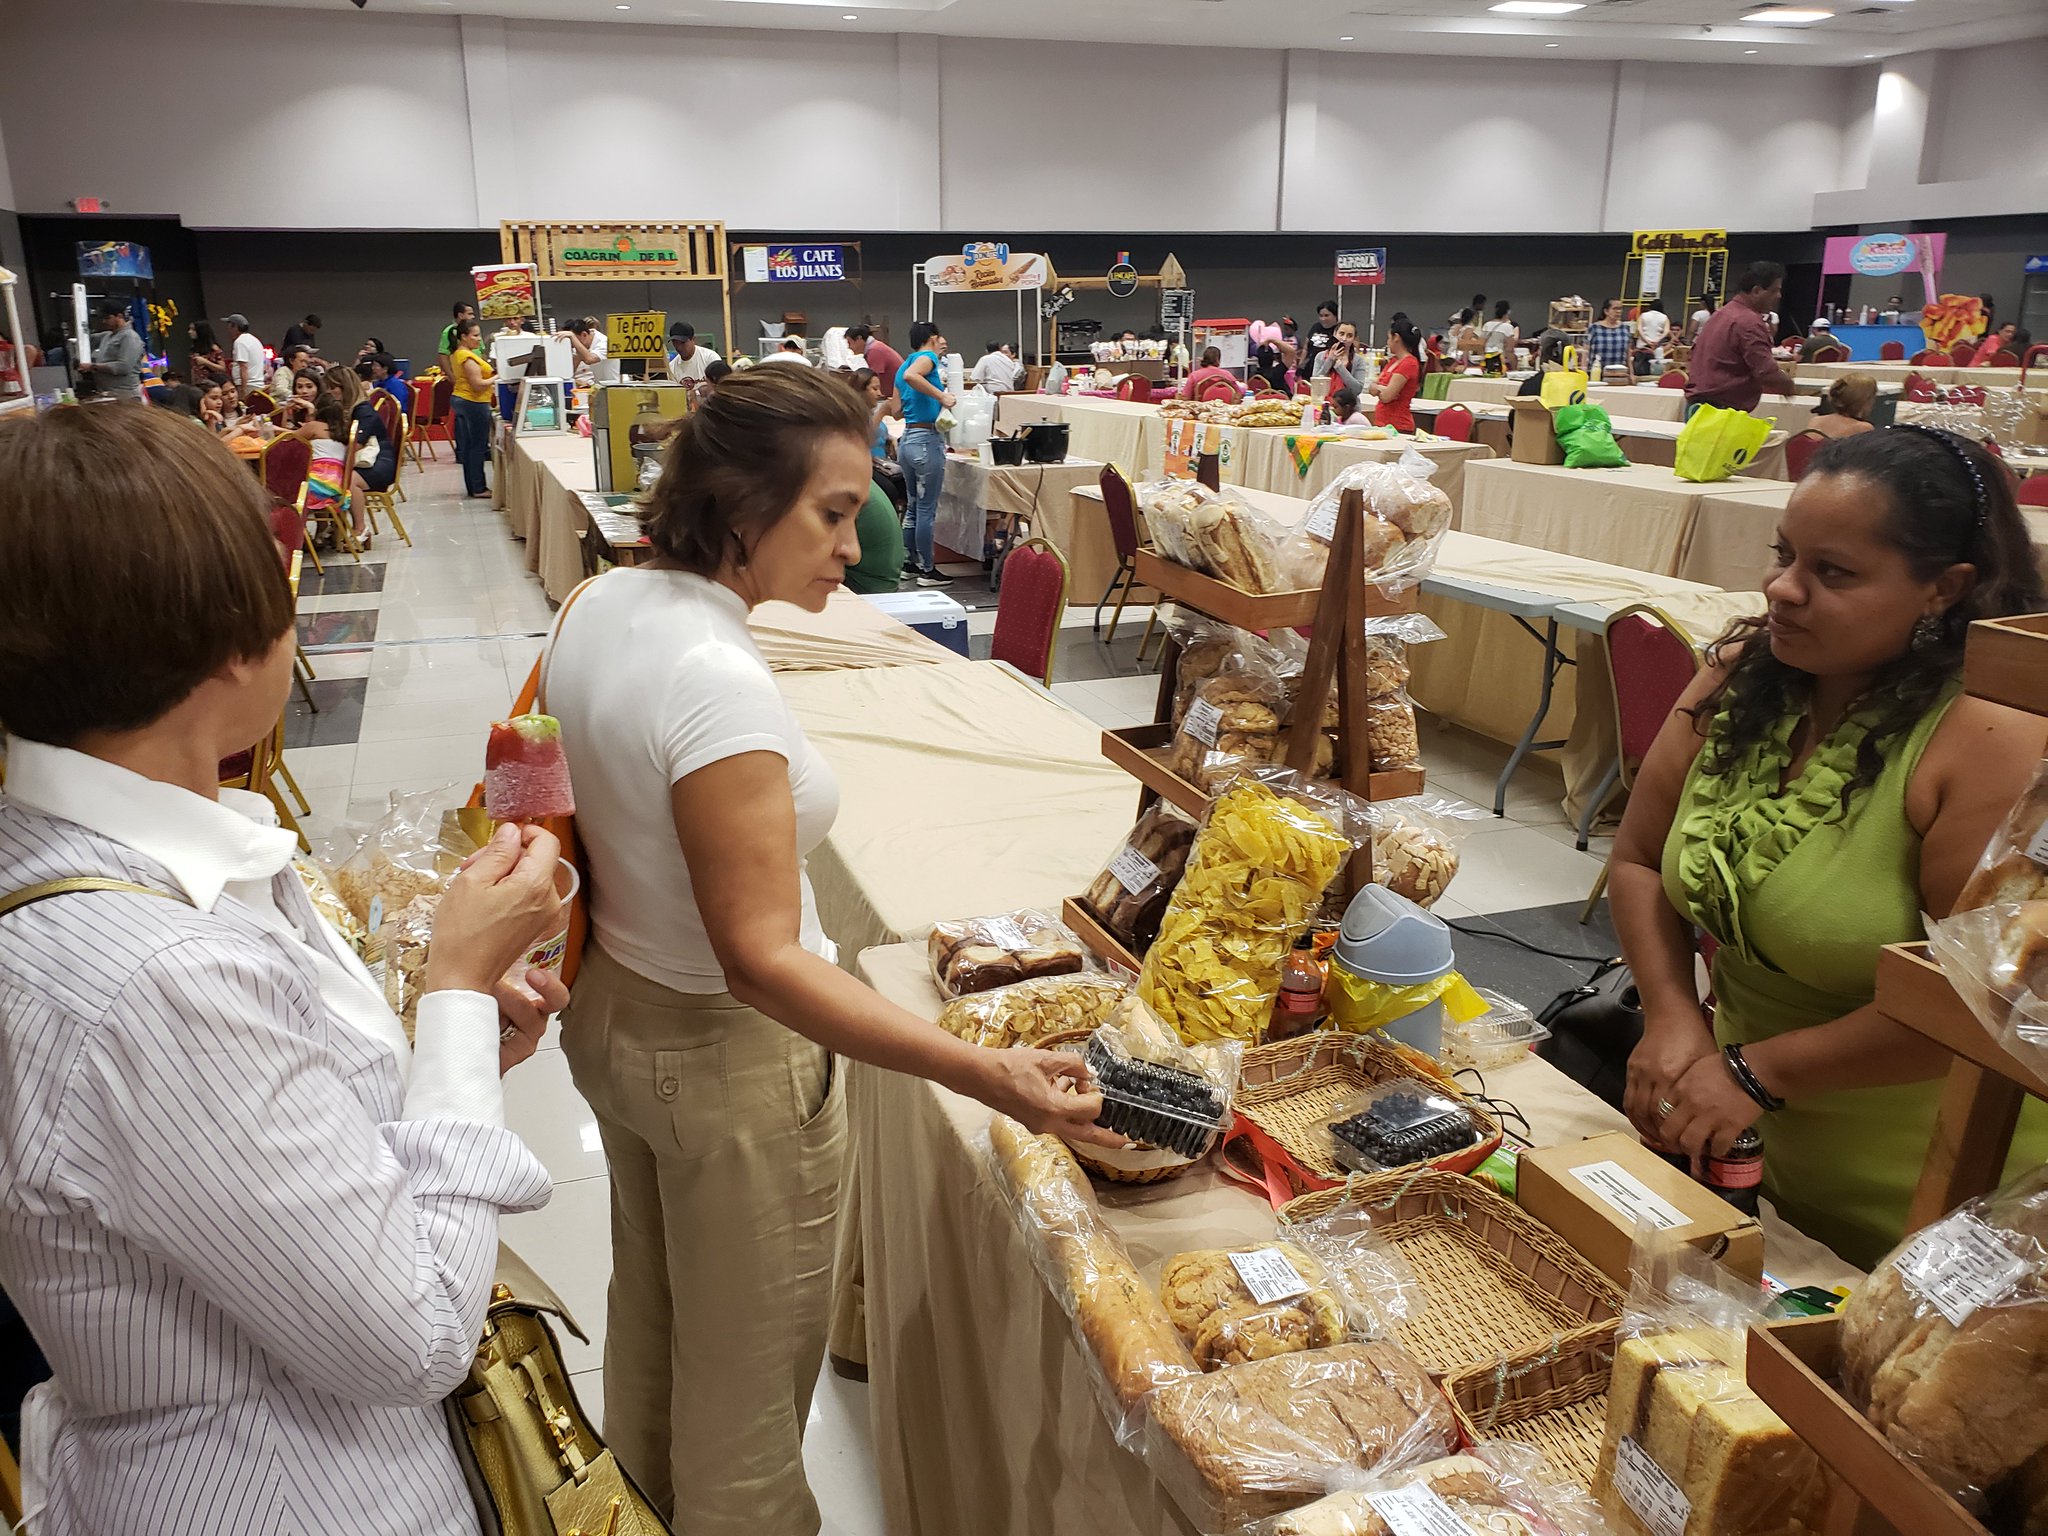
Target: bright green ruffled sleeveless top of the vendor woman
<point>1803,896</point>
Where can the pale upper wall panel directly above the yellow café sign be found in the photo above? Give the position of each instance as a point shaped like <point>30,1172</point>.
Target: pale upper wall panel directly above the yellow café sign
<point>1727,148</point>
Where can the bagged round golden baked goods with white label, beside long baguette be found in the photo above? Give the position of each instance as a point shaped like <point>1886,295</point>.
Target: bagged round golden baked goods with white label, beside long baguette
<point>1226,1322</point>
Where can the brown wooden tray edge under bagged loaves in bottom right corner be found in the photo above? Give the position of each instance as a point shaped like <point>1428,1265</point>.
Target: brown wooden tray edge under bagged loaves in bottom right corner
<point>1793,1367</point>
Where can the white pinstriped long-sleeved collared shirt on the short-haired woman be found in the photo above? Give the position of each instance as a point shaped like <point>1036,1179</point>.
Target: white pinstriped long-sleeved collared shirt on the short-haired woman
<point>253,1271</point>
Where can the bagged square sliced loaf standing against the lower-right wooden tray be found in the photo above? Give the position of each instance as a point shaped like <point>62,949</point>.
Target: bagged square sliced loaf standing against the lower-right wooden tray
<point>1687,1435</point>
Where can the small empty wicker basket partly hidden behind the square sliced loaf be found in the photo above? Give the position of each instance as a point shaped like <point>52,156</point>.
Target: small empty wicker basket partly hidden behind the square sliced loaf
<point>1553,1398</point>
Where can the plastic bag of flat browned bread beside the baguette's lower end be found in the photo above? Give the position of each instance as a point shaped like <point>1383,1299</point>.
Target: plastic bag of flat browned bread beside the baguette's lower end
<point>1246,1443</point>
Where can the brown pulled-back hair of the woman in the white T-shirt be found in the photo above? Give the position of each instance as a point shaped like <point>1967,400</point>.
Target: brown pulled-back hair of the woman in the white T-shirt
<point>742,458</point>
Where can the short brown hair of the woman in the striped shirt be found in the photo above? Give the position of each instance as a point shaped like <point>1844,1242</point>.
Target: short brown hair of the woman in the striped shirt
<point>136,562</point>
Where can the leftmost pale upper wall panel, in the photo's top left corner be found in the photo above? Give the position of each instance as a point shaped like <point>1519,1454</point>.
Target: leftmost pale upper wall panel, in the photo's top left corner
<point>220,114</point>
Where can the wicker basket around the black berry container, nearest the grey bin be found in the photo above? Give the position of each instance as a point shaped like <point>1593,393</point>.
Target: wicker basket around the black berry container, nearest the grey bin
<point>1291,1091</point>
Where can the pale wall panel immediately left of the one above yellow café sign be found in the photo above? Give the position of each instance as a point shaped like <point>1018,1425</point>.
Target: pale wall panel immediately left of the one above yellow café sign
<point>1457,146</point>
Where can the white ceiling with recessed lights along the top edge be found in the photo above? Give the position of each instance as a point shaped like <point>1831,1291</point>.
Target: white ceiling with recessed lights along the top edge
<point>1684,32</point>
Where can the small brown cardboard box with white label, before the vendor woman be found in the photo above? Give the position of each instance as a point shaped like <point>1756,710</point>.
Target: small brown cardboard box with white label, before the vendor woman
<point>1590,1193</point>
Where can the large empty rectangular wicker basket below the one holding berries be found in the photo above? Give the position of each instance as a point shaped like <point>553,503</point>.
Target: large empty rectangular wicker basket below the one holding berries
<point>1498,1281</point>
